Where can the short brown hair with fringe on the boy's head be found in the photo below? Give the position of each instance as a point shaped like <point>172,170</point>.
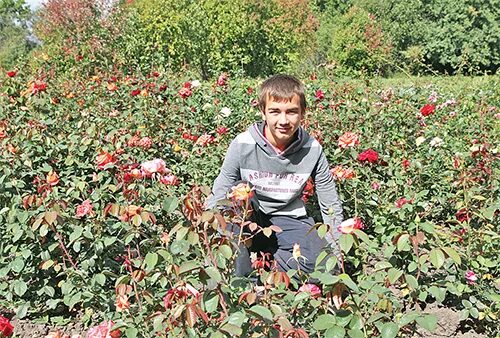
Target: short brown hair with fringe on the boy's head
<point>282,87</point>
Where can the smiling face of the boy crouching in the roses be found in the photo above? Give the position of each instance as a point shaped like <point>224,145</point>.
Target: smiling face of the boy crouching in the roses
<point>282,120</point>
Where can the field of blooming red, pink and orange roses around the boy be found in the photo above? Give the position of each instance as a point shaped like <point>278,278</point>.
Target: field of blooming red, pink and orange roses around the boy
<point>103,234</point>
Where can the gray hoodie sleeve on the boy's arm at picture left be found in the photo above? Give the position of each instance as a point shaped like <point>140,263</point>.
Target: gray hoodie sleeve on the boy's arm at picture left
<point>229,174</point>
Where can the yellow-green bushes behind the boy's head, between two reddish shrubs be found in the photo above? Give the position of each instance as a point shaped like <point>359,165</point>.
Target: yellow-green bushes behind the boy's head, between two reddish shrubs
<point>238,36</point>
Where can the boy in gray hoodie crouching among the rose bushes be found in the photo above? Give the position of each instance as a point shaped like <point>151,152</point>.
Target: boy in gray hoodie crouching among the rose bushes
<point>277,157</point>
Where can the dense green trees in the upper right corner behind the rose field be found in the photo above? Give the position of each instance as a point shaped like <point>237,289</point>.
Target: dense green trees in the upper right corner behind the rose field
<point>444,35</point>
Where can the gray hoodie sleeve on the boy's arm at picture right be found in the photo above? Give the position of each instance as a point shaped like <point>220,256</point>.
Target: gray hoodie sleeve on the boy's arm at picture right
<point>328,198</point>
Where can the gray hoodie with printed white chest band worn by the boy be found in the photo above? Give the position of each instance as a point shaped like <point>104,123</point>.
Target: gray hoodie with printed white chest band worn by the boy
<point>280,177</point>
